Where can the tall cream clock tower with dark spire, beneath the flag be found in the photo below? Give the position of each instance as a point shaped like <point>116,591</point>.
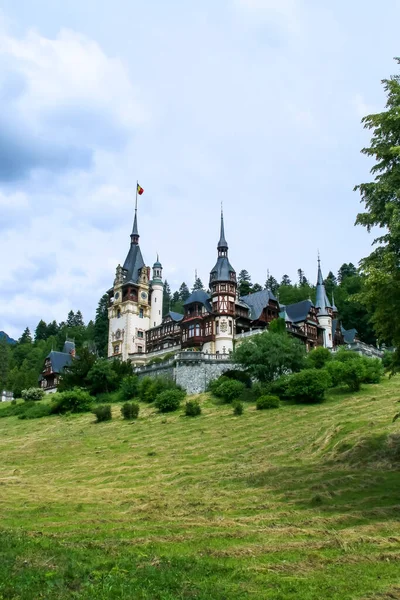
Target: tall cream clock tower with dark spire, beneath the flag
<point>129,311</point>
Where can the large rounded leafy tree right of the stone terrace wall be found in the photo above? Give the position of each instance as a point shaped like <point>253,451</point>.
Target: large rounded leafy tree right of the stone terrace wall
<point>270,355</point>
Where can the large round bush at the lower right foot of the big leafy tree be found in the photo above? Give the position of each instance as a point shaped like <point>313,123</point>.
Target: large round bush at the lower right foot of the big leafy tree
<point>309,386</point>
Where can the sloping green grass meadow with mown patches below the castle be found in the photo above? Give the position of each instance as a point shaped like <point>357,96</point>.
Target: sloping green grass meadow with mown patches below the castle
<point>298,503</point>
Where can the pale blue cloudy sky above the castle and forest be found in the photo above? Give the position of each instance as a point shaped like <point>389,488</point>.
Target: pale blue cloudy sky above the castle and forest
<point>253,103</point>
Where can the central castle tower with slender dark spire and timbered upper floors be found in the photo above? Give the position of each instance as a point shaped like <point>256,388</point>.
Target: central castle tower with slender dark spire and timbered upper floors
<point>223,288</point>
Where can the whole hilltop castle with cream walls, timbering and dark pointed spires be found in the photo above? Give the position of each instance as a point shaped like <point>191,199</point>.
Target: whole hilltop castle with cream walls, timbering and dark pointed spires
<point>213,322</point>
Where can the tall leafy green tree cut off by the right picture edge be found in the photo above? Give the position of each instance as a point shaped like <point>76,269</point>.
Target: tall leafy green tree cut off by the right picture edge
<point>381,198</point>
